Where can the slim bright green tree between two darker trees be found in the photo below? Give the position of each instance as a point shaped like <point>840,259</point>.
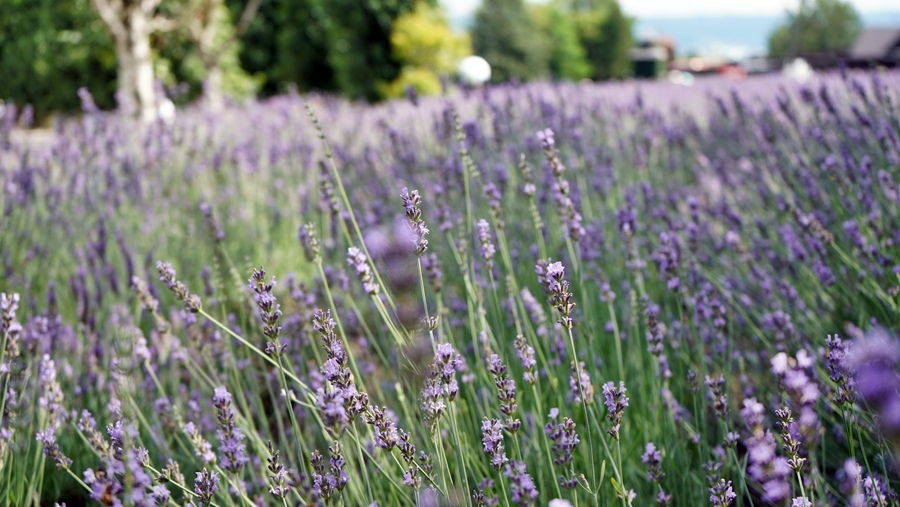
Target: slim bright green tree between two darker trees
<point>568,59</point>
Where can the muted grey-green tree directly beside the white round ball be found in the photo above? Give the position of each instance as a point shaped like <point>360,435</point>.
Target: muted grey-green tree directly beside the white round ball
<point>505,36</point>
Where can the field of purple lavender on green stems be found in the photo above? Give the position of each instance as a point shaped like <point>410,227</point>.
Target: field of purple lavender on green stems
<point>543,294</point>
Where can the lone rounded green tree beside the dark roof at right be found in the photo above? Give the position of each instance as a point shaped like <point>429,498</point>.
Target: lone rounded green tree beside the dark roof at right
<point>822,26</point>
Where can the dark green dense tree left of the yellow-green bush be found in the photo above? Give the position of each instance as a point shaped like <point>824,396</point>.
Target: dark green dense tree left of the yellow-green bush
<point>331,45</point>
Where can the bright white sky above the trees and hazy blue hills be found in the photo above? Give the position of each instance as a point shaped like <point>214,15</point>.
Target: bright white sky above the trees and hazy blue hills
<point>688,8</point>
